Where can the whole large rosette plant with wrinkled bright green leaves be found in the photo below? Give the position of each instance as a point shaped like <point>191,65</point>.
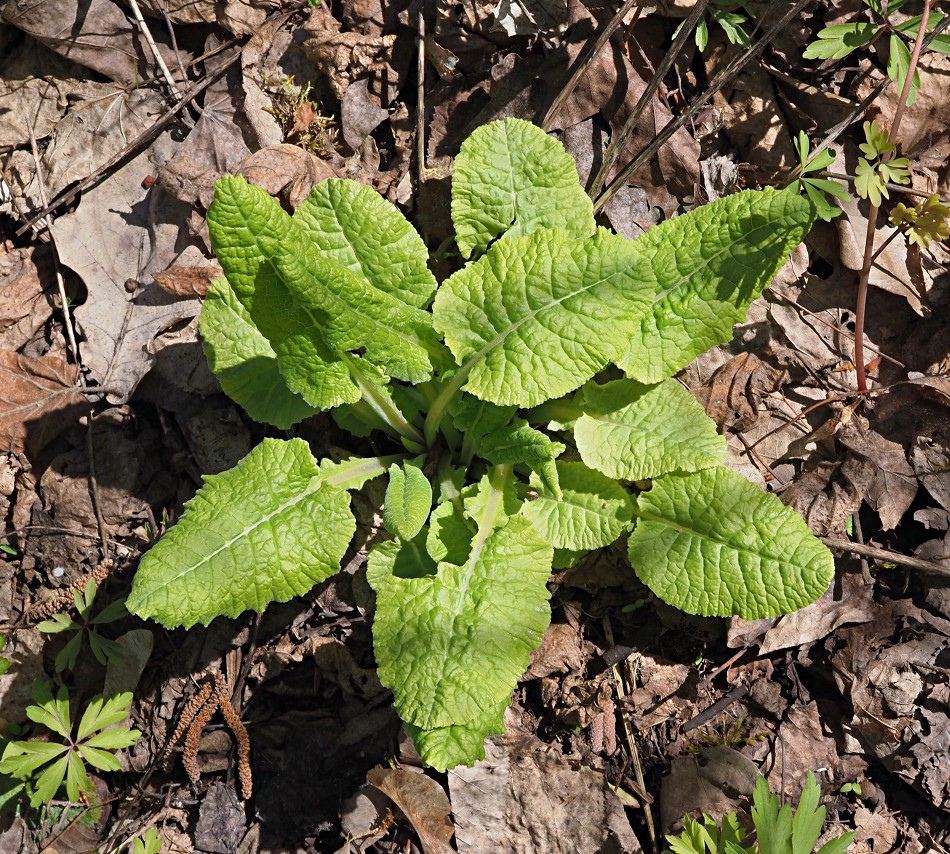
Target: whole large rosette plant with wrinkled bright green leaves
<point>528,406</point>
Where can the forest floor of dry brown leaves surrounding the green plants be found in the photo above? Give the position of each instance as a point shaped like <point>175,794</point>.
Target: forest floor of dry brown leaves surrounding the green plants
<point>632,714</point>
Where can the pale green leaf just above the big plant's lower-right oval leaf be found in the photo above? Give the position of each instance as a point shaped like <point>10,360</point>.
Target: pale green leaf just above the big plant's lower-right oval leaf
<point>632,431</point>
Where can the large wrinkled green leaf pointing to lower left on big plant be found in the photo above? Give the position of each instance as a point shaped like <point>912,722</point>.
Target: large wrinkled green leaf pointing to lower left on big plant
<point>265,531</point>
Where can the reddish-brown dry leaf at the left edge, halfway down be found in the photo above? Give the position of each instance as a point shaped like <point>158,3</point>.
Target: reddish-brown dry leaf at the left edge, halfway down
<point>38,400</point>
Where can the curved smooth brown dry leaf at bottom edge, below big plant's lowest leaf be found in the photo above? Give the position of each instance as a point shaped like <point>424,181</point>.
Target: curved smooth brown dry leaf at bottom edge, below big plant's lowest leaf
<point>422,801</point>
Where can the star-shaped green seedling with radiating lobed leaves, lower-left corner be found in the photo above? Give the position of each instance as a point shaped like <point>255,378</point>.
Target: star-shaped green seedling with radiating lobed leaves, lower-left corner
<point>94,742</point>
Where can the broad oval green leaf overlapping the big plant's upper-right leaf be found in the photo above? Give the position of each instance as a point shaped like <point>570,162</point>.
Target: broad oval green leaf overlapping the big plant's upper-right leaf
<point>538,316</point>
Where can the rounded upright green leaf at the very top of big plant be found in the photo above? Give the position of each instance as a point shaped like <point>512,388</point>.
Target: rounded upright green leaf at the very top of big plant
<point>512,178</point>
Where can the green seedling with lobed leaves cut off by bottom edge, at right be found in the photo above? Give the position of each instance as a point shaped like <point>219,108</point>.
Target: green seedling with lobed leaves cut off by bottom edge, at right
<point>778,830</point>
